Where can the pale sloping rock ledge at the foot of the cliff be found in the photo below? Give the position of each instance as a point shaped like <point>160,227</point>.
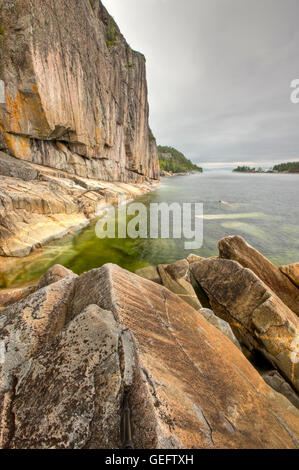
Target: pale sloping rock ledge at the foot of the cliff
<point>40,204</point>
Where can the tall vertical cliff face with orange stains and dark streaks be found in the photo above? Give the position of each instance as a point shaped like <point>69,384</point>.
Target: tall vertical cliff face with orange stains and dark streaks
<point>75,92</point>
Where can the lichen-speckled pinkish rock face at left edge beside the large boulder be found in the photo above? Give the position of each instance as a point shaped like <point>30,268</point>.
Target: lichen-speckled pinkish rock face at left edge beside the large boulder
<point>27,326</point>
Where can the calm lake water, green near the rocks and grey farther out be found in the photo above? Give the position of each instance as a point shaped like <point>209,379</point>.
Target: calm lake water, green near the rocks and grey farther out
<point>262,208</point>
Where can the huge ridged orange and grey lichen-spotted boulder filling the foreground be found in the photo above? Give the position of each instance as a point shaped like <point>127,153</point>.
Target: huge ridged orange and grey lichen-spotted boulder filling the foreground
<point>117,337</point>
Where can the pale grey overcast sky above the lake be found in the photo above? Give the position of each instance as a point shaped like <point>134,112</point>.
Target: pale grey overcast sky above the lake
<point>219,75</point>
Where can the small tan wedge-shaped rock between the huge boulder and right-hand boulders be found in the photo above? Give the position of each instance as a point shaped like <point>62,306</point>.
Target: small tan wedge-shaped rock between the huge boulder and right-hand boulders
<point>176,277</point>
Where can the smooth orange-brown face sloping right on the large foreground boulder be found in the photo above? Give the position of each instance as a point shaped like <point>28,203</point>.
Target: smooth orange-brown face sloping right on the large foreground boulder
<point>182,354</point>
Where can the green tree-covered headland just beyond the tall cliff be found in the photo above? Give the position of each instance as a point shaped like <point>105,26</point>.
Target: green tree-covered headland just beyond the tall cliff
<point>174,162</point>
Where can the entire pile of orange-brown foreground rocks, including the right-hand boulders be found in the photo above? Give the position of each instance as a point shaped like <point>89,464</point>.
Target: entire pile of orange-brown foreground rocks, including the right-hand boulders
<point>76,350</point>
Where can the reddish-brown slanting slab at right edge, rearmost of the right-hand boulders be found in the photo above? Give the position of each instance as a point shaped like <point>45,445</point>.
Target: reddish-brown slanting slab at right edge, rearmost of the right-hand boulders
<point>235,248</point>
